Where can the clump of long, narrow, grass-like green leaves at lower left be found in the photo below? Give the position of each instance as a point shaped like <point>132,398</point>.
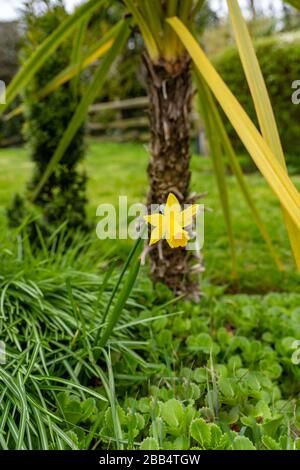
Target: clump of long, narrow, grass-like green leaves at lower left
<point>52,389</point>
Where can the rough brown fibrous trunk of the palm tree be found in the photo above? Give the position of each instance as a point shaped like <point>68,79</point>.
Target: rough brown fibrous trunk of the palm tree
<point>170,92</point>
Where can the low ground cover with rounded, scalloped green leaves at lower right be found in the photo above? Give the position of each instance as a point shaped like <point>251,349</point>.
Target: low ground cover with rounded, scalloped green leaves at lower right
<point>242,395</point>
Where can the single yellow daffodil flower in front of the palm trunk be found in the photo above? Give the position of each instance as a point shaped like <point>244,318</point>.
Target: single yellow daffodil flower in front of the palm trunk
<point>170,225</point>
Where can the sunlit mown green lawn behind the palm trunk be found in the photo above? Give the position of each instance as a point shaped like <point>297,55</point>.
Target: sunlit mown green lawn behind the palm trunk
<point>120,169</point>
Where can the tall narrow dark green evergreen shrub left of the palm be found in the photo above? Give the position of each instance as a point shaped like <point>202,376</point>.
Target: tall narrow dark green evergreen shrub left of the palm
<point>63,198</point>
